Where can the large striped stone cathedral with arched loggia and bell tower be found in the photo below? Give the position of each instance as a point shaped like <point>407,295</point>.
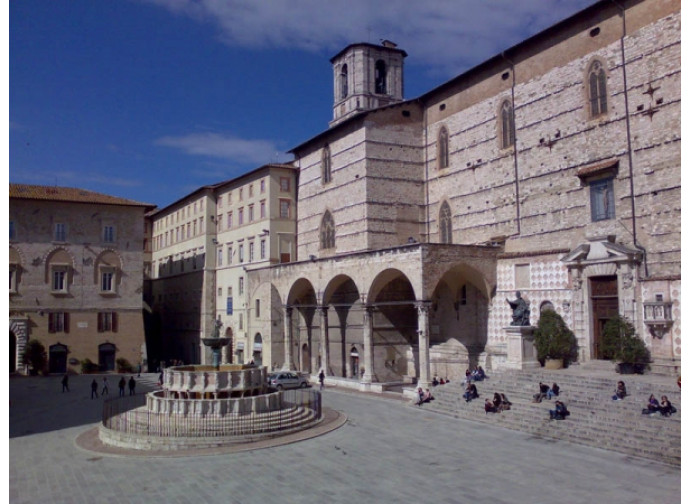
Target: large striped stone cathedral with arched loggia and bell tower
<point>552,168</point>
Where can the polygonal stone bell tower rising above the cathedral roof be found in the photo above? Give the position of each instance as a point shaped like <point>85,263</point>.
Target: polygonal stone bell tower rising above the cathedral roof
<point>365,77</point>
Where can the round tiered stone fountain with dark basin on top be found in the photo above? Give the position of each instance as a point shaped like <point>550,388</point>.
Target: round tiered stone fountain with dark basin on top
<point>202,406</point>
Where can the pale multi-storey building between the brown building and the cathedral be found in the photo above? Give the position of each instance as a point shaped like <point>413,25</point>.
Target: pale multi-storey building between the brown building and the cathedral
<point>203,246</point>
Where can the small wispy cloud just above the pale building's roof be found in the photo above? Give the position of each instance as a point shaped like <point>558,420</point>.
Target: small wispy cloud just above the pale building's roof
<point>228,147</point>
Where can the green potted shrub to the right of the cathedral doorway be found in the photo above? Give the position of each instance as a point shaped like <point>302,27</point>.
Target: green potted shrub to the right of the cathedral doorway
<point>621,343</point>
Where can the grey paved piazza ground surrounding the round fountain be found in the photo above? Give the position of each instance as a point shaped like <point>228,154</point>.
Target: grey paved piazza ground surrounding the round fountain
<point>387,451</point>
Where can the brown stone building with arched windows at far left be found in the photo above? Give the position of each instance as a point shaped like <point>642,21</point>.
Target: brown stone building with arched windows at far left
<point>76,276</point>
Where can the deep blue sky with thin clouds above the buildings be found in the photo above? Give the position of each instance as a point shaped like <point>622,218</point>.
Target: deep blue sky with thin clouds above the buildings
<point>152,99</point>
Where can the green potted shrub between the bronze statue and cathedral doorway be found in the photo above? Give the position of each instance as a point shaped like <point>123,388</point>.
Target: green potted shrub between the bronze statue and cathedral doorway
<point>556,344</point>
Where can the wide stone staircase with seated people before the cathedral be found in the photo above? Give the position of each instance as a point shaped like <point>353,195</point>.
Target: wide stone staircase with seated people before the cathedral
<point>595,419</point>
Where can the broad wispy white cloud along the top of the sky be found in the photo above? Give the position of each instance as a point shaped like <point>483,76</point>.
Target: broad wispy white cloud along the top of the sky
<point>448,35</point>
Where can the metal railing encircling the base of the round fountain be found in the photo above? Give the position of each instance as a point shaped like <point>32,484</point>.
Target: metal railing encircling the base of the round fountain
<point>125,414</point>
